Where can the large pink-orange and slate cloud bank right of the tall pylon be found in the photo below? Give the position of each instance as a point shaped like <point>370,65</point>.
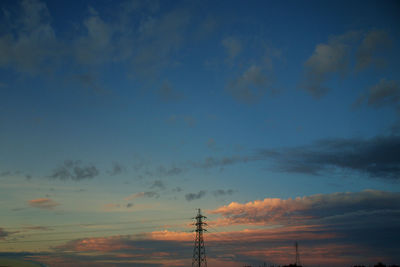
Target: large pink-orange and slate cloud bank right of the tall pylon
<point>330,227</point>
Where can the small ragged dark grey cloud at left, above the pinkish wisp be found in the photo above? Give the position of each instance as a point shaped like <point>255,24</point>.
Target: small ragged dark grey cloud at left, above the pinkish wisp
<point>74,170</point>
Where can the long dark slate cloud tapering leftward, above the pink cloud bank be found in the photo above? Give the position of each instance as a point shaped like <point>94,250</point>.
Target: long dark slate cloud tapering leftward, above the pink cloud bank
<point>376,157</point>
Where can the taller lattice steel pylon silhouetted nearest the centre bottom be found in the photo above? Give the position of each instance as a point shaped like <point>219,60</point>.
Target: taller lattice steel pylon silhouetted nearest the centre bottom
<point>199,250</point>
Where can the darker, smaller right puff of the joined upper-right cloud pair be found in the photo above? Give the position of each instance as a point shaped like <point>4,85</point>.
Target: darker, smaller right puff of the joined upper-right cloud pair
<point>373,44</point>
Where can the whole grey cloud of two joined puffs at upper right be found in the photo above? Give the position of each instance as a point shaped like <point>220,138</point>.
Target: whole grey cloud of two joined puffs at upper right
<point>333,59</point>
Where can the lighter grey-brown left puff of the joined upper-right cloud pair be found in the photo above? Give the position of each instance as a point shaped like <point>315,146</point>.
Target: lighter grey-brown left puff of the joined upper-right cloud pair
<point>327,60</point>
